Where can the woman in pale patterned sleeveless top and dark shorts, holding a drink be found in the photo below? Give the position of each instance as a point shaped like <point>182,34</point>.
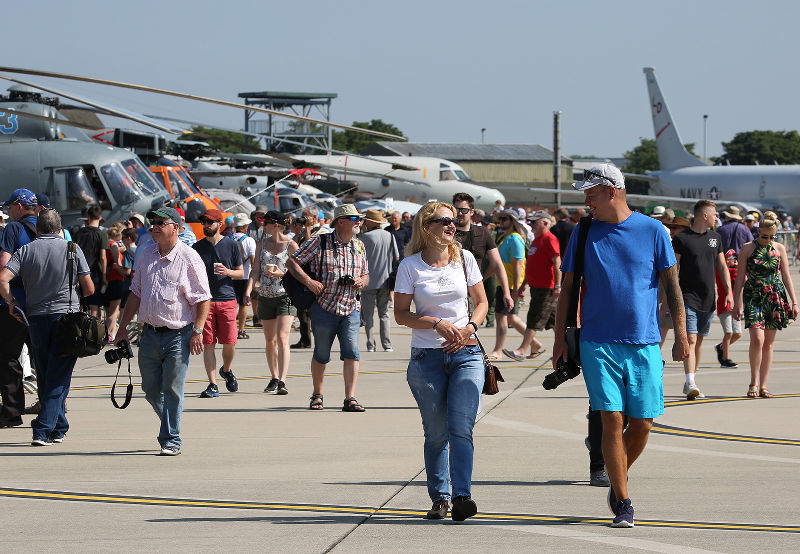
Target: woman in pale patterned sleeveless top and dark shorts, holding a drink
<point>274,308</point>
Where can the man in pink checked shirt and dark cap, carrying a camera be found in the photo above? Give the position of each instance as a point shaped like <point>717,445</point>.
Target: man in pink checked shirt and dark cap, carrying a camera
<point>170,292</point>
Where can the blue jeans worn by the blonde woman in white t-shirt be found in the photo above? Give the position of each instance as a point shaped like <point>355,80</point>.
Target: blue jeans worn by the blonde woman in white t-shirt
<point>447,388</point>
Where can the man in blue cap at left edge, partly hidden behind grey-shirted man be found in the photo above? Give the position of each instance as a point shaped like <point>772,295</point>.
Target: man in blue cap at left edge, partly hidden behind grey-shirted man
<point>22,208</point>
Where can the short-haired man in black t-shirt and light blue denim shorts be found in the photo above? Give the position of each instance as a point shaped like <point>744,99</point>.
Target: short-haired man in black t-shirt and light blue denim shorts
<point>700,256</point>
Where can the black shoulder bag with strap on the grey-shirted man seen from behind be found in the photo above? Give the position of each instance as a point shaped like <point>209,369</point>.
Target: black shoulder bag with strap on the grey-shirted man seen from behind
<point>79,334</point>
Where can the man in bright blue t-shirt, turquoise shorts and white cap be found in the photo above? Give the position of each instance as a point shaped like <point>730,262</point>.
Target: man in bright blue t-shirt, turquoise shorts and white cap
<point>625,255</point>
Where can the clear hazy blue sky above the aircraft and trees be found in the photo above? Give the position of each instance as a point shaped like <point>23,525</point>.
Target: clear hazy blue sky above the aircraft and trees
<point>438,70</point>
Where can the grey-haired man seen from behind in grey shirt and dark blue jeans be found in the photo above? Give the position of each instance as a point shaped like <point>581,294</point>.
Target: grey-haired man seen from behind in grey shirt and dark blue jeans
<point>42,266</point>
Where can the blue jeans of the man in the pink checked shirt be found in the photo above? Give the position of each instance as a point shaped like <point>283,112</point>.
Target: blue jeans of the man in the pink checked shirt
<point>163,362</point>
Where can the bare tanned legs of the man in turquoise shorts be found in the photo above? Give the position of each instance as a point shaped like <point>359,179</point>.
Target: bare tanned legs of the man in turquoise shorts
<point>621,449</point>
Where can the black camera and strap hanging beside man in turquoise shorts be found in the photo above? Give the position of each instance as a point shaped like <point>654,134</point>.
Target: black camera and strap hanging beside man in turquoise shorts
<point>572,367</point>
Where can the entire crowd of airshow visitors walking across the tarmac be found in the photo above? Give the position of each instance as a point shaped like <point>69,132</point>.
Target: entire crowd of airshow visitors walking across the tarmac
<point>445,271</point>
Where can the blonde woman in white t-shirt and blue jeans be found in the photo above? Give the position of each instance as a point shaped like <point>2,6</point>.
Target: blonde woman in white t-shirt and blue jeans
<point>446,371</point>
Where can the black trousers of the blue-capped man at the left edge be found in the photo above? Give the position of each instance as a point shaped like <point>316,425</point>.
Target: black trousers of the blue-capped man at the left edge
<point>14,334</point>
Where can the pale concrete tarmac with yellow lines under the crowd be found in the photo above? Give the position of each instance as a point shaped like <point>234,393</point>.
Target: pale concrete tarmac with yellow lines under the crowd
<point>261,472</point>
